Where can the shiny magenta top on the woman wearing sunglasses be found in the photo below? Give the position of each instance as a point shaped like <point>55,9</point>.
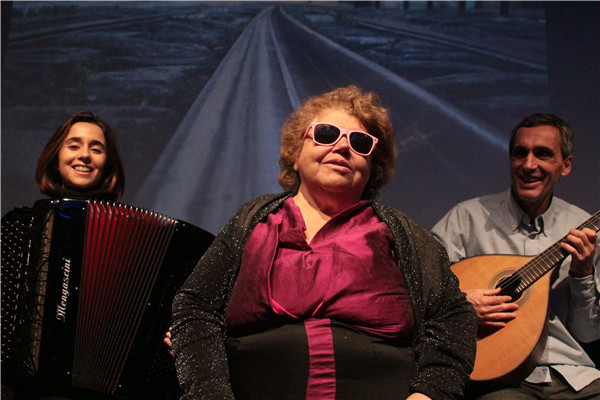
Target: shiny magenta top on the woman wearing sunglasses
<point>348,273</point>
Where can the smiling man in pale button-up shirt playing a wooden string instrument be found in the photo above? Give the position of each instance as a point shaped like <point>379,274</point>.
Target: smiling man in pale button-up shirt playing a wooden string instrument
<point>525,220</point>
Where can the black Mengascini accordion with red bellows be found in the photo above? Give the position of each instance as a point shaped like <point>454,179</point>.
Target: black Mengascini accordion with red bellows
<point>87,287</point>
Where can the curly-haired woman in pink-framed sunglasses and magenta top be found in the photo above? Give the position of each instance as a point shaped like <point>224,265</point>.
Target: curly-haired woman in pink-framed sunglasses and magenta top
<point>321,292</point>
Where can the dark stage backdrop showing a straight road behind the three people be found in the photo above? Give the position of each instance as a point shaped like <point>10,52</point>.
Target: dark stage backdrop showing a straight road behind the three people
<point>197,91</point>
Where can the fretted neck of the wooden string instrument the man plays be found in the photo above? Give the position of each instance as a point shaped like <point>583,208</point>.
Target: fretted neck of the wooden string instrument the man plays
<point>550,258</point>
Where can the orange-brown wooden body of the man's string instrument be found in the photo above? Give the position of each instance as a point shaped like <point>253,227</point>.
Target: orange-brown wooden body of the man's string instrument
<point>509,354</point>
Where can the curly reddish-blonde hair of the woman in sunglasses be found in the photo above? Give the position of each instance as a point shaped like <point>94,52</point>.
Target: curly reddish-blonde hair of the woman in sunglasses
<point>367,108</point>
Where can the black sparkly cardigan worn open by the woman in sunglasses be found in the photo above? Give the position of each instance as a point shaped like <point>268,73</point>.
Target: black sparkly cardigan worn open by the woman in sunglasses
<point>445,323</point>
